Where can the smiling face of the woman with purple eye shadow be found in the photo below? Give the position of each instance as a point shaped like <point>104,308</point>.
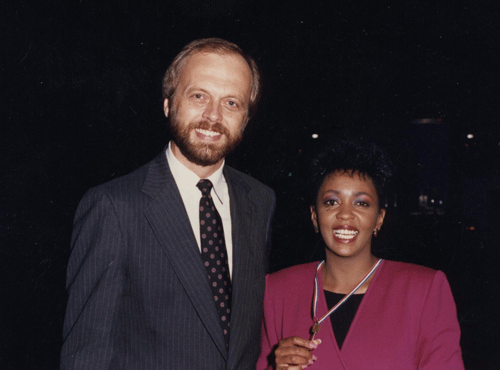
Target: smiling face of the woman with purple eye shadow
<point>347,213</point>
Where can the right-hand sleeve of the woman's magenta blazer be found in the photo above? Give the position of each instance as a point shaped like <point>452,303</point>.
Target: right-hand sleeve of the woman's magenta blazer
<point>439,337</point>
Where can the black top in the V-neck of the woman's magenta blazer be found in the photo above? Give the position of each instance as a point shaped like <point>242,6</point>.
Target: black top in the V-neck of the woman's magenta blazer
<point>342,318</point>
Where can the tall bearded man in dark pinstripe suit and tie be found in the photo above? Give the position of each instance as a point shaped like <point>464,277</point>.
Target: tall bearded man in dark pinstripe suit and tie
<point>146,288</point>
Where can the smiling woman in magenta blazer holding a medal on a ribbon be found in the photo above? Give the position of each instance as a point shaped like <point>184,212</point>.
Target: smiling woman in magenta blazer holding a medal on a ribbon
<point>354,311</point>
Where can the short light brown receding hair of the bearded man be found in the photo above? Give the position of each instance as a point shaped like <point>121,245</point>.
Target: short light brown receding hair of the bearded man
<point>216,45</point>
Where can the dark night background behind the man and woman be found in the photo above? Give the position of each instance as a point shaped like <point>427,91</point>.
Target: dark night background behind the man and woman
<point>81,104</point>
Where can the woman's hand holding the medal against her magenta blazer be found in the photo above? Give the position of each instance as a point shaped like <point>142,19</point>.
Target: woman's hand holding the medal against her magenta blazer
<point>294,353</point>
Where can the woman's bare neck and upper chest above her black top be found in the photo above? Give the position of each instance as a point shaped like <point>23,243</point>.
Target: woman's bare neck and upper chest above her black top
<point>341,275</point>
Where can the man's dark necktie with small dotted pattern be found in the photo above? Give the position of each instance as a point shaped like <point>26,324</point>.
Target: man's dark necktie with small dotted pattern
<point>214,255</point>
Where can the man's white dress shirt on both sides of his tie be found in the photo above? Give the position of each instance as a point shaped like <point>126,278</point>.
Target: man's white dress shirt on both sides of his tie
<point>186,181</point>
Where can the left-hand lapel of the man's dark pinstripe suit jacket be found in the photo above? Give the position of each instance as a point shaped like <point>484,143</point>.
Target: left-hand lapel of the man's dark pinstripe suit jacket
<point>170,223</point>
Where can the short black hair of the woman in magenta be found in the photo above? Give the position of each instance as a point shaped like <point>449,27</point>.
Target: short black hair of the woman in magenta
<point>352,157</point>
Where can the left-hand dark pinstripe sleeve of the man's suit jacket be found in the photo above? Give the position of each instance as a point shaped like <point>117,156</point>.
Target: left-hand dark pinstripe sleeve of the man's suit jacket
<point>95,283</point>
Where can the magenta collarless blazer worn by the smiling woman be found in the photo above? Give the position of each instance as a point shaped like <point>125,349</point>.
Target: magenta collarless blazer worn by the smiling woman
<point>406,320</point>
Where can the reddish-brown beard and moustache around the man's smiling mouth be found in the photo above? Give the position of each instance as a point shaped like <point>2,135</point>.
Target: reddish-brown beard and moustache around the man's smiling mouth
<point>202,154</point>
